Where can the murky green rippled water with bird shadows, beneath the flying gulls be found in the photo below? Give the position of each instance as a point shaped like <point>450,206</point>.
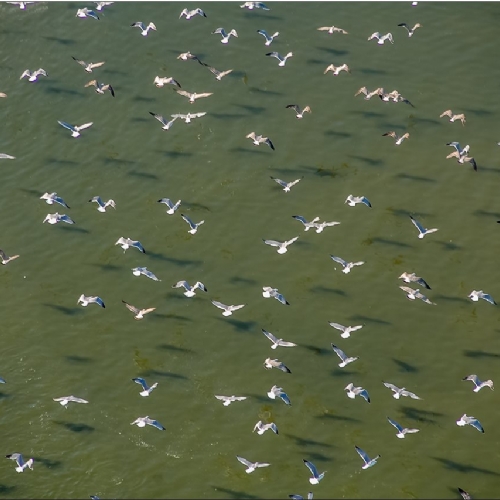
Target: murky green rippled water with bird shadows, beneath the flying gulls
<point>52,347</point>
